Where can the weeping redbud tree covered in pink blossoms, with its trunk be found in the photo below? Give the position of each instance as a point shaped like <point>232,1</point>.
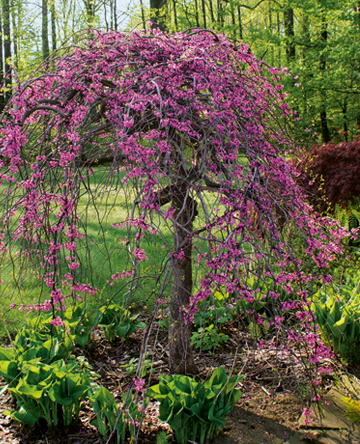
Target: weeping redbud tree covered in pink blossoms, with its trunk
<point>194,130</point>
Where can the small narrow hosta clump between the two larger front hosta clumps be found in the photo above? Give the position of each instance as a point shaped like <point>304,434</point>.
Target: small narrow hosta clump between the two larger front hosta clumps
<point>110,416</point>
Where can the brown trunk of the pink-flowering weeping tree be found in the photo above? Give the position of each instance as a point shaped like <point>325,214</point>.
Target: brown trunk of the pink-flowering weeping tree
<point>181,360</point>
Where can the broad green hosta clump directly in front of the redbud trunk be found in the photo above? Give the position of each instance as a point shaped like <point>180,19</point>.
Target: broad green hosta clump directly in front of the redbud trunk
<point>193,409</point>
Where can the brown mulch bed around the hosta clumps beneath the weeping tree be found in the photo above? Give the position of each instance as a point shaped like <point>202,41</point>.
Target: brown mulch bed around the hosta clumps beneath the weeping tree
<point>275,386</point>
